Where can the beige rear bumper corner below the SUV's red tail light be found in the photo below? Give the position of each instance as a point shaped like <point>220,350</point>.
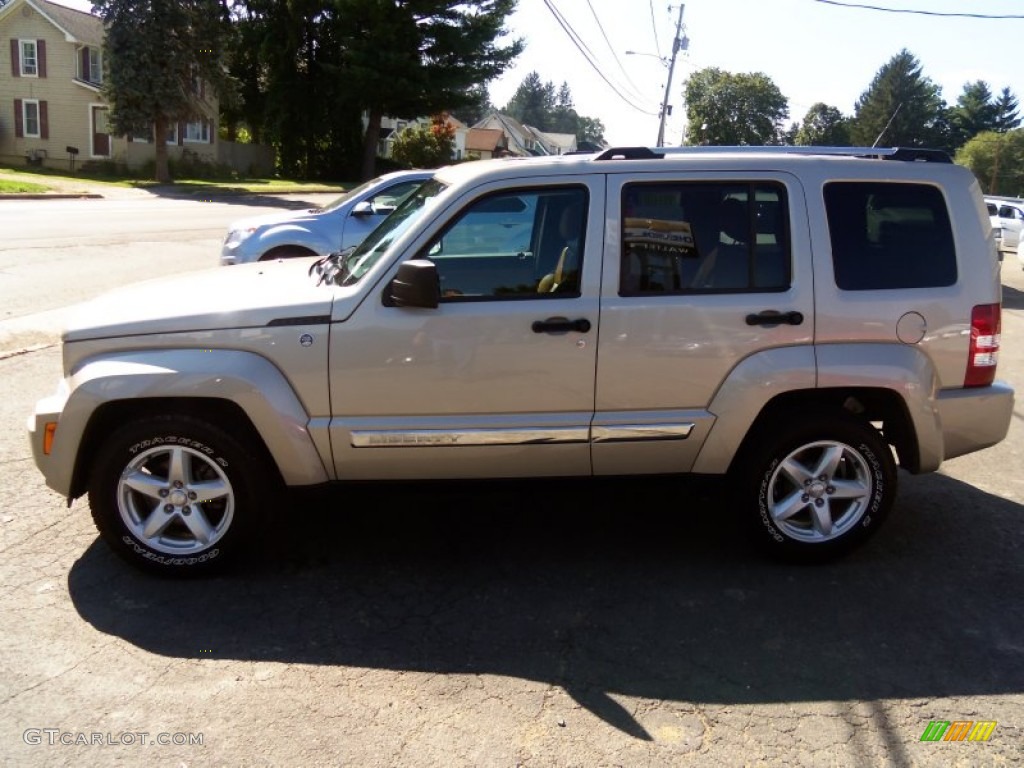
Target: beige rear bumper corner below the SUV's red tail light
<point>974,419</point>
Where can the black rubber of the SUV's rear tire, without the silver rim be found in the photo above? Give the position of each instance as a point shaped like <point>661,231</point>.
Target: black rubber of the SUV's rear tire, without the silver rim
<point>778,446</point>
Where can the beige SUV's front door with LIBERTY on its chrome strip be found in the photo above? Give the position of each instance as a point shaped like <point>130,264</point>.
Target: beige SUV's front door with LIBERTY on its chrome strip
<point>476,388</point>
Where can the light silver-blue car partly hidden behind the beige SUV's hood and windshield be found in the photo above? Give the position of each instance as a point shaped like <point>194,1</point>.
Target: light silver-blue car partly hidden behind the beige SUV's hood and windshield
<point>319,232</point>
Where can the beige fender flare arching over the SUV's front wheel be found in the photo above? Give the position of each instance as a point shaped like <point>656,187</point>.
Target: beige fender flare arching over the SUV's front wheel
<point>251,382</point>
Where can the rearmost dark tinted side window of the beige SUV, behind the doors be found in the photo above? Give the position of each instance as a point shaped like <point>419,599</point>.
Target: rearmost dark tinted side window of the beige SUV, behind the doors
<point>889,236</point>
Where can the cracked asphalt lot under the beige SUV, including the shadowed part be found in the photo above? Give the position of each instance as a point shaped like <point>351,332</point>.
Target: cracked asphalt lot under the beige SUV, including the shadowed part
<point>548,624</point>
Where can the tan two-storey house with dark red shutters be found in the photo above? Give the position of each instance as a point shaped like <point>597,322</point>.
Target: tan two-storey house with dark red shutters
<point>53,111</point>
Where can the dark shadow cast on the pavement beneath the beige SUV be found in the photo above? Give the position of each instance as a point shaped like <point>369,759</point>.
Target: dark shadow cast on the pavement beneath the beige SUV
<point>653,599</point>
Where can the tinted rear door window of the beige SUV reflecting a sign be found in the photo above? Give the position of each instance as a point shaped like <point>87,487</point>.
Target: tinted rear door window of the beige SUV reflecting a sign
<point>685,238</point>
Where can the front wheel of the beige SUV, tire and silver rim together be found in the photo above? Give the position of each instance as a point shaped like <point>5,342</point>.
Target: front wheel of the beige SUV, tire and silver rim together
<point>176,495</point>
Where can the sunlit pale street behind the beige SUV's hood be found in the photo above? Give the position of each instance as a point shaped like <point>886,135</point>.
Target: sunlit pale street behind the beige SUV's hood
<point>57,253</point>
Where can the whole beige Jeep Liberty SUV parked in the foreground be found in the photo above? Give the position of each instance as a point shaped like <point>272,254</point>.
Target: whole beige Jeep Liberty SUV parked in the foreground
<point>800,321</point>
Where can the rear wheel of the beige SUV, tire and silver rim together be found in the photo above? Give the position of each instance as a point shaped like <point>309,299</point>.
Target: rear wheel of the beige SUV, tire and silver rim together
<point>820,488</point>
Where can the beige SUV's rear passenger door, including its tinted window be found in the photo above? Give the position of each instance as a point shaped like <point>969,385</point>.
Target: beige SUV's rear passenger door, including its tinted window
<point>695,257</point>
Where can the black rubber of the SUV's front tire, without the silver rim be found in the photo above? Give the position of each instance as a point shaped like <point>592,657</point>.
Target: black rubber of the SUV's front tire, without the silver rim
<point>124,445</point>
